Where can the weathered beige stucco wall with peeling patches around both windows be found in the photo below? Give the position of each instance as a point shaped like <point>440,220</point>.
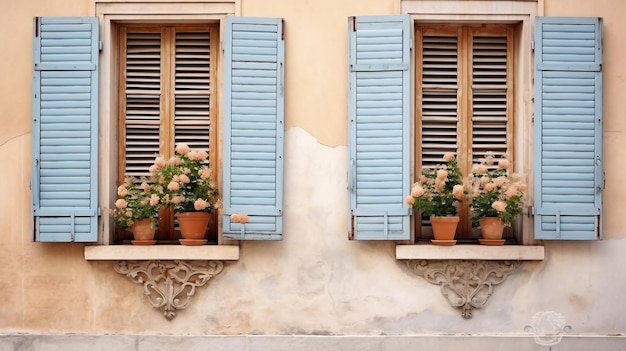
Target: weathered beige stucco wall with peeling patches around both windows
<point>315,281</point>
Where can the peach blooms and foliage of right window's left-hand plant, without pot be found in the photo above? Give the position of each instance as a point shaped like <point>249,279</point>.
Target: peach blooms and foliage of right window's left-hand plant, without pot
<point>438,190</point>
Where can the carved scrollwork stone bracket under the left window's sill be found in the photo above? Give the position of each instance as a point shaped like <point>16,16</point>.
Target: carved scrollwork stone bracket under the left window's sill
<point>169,285</point>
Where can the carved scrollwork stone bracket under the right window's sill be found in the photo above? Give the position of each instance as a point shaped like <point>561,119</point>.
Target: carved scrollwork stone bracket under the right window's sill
<point>466,284</point>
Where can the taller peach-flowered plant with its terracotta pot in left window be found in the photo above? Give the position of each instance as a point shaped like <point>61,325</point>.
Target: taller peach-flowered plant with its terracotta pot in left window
<point>187,184</point>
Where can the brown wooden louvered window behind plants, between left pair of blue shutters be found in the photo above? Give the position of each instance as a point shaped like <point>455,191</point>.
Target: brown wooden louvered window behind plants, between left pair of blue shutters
<point>166,95</point>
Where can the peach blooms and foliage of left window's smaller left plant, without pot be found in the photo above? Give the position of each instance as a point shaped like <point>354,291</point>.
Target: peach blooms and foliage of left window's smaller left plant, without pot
<point>138,200</point>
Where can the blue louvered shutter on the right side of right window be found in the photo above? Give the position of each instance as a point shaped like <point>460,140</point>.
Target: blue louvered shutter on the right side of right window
<point>568,128</point>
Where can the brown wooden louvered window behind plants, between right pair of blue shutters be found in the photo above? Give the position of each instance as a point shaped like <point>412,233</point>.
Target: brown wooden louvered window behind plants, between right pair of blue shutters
<point>464,100</point>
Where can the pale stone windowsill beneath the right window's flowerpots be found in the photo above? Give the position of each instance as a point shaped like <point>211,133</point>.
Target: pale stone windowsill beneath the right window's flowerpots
<point>469,252</point>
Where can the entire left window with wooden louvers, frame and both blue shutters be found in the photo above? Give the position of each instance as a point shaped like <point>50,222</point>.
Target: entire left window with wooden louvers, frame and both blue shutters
<point>159,74</point>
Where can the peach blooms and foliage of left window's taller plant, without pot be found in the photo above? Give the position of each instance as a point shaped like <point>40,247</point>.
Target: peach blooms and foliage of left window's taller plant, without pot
<point>185,181</point>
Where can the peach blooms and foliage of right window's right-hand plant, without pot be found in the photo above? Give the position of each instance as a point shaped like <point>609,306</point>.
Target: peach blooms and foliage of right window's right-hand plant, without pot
<point>495,192</point>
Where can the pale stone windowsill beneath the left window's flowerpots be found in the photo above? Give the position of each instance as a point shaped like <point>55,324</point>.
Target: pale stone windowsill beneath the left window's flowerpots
<point>162,252</point>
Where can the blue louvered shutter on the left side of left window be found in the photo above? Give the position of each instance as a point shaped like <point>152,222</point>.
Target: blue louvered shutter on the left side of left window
<point>65,136</point>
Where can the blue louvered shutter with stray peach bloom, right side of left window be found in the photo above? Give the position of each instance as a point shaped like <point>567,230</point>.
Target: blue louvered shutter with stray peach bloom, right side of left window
<point>253,127</point>
